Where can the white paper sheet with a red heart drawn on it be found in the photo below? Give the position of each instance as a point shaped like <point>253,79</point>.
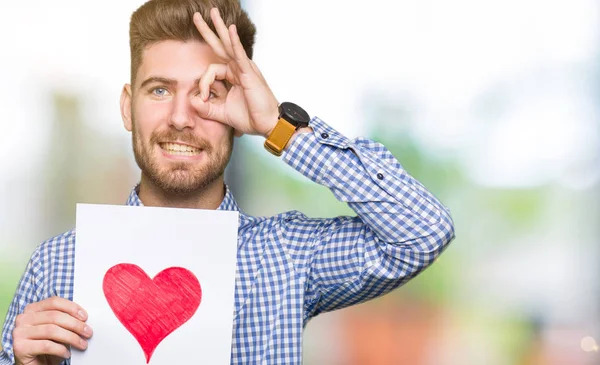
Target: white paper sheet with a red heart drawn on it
<point>197,251</point>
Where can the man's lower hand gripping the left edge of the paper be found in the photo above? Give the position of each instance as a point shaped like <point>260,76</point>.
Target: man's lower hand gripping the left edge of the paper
<point>45,329</point>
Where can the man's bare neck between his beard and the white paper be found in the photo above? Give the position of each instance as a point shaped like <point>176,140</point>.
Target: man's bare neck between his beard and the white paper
<point>210,197</point>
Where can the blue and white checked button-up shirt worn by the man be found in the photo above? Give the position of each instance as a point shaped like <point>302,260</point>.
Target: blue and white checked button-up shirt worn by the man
<point>291,268</point>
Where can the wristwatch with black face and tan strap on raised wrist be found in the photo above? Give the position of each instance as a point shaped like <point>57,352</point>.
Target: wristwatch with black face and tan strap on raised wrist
<point>291,118</point>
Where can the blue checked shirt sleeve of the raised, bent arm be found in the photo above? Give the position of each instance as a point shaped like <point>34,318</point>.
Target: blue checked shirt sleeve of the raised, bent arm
<point>399,230</point>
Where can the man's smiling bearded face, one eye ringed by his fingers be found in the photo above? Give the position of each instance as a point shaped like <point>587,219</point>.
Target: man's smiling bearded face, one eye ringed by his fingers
<point>176,149</point>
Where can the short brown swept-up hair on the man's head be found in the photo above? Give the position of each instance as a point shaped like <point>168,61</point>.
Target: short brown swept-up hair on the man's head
<point>160,20</point>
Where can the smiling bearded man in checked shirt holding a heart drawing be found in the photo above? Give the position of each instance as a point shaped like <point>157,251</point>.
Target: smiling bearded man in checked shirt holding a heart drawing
<point>193,87</point>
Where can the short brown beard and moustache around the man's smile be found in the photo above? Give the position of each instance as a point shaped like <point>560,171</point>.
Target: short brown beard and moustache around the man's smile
<point>180,178</point>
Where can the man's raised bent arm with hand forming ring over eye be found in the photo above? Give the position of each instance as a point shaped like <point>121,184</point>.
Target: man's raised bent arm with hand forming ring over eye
<point>400,226</point>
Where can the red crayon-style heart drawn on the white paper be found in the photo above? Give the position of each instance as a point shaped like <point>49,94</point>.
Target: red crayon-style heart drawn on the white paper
<point>151,309</point>
